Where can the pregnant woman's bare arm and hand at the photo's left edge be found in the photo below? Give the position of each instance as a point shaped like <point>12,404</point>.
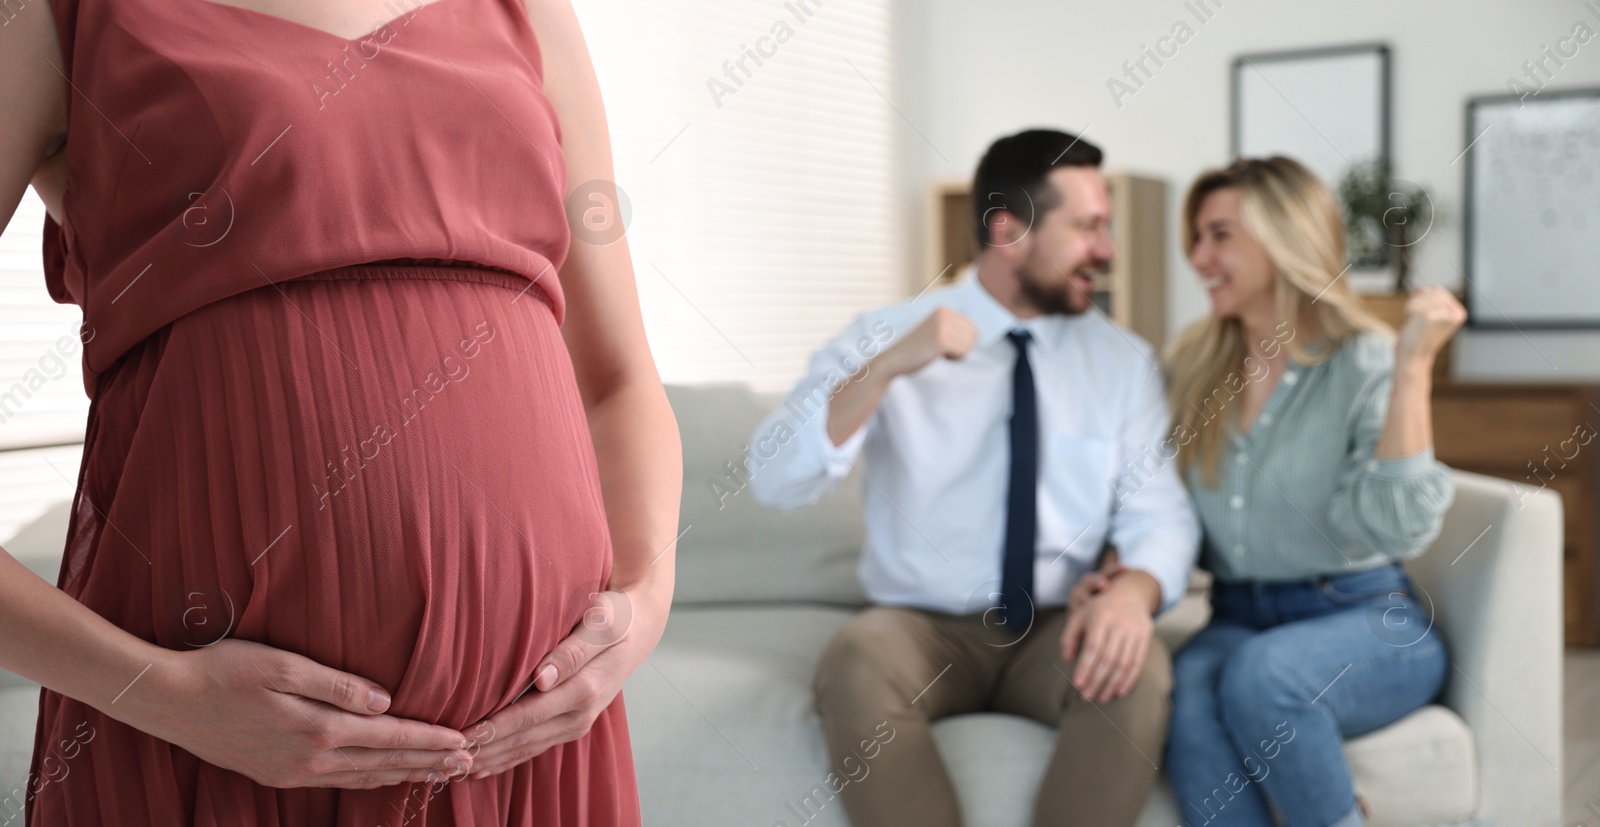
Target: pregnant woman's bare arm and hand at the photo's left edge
<point>278,717</point>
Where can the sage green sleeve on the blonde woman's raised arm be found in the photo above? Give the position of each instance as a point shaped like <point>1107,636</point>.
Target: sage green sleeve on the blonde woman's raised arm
<point>1394,506</point>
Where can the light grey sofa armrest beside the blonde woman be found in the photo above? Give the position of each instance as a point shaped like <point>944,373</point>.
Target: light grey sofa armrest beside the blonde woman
<point>1494,581</point>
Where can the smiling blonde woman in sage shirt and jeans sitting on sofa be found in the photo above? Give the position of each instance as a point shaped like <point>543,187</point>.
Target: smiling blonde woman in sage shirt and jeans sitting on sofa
<point>1303,431</point>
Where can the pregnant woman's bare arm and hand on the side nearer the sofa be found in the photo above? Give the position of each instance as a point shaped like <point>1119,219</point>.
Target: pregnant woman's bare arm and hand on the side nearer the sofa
<point>636,436</point>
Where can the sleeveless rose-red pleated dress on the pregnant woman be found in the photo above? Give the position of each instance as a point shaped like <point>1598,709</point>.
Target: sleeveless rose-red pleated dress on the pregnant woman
<point>332,409</point>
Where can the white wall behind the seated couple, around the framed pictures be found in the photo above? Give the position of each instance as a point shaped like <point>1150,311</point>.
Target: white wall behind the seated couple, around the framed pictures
<point>975,71</point>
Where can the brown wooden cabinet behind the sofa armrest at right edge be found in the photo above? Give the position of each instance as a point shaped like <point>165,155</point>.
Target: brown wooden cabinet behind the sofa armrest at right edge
<point>1545,437</point>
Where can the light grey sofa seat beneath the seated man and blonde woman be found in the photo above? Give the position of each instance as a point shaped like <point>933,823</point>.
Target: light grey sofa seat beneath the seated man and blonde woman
<point>724,732</point>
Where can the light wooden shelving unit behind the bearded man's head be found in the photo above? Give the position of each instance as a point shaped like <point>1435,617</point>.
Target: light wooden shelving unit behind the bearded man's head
<point>1132,294</point>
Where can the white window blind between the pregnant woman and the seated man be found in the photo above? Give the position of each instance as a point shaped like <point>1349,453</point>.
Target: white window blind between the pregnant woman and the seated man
<point>753,142</point>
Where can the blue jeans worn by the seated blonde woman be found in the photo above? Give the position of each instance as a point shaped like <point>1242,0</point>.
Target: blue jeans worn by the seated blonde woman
<point>1268,692</point>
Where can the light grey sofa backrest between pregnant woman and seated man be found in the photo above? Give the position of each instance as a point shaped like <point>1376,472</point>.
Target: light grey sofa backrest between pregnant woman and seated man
<point>735,549</point>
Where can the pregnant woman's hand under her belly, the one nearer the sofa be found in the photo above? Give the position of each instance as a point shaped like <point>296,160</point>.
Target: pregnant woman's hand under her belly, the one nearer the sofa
<point>591,666</point>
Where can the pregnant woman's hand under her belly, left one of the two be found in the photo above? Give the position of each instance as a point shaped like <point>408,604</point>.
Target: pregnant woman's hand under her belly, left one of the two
<point>286,721</point>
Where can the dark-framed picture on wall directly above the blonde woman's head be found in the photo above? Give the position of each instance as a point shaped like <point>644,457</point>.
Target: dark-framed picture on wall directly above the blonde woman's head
<point>1326,108</point>
